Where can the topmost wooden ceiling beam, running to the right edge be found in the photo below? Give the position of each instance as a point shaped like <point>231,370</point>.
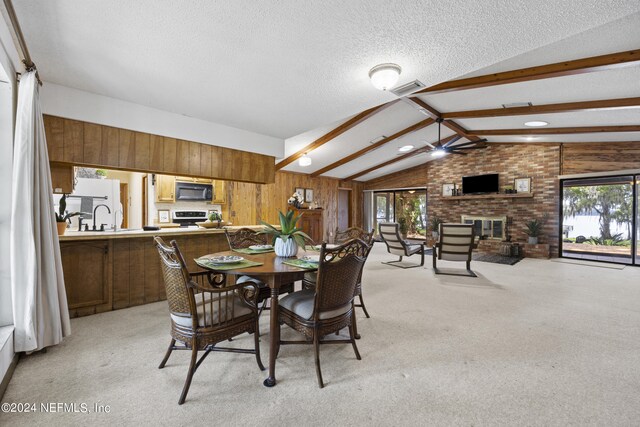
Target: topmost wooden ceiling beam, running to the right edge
<point>565,68</point>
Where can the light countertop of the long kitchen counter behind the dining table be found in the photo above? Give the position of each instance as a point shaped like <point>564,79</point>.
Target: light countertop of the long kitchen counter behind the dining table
<point>127,234</point>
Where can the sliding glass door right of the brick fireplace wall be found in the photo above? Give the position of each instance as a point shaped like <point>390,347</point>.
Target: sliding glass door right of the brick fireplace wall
<point>599,220</point>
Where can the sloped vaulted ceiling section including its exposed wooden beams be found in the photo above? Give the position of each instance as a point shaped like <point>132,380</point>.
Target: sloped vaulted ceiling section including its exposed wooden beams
<point>590,105</point>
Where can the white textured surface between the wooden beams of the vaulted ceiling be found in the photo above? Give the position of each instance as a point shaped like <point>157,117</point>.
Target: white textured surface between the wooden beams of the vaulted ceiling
<point>620,35</point>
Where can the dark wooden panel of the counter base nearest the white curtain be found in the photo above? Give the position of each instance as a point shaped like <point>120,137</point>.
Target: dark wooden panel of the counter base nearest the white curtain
<point>87,267</point>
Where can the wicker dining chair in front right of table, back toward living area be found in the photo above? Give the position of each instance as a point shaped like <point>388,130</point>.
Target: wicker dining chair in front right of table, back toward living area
<point>329,308</point>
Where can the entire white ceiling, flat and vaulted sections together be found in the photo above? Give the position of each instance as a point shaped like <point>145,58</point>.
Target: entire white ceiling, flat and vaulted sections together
<point>299,71</point>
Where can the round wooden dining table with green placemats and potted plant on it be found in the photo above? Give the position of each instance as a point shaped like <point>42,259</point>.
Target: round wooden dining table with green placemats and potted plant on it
<point>274,273</point>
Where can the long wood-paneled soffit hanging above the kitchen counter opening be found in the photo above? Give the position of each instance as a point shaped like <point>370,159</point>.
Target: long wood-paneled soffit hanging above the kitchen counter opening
<point>78,143</point>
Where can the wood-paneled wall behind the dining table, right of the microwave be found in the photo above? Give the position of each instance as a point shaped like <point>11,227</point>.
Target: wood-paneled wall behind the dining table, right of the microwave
<point>250,203</point>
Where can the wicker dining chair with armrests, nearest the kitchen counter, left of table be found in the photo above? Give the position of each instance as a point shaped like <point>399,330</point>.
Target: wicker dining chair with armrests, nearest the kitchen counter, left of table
<point>204,311</point>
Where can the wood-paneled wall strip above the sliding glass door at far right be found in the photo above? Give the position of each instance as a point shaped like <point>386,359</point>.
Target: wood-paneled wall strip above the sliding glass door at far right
<point>600,157</point>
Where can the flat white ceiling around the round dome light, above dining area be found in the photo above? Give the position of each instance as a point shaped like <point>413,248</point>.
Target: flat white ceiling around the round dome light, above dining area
<point>282,68</point>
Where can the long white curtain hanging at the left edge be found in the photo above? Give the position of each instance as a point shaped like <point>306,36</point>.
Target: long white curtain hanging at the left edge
<point>40,313</point>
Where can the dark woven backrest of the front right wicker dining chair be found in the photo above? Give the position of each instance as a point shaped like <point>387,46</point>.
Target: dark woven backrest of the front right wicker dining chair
<point>338,273</point>
